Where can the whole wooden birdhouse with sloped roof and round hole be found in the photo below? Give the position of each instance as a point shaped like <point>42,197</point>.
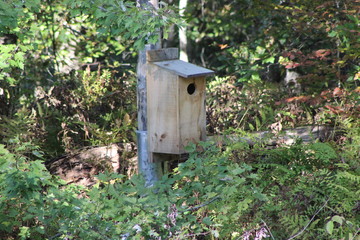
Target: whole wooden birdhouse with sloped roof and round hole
<point>175,102</point>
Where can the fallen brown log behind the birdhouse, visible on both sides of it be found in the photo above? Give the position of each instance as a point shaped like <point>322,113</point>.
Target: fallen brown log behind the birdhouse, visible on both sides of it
<point>81,166</point>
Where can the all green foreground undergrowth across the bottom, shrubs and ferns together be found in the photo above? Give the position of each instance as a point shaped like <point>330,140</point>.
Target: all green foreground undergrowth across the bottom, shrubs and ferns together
<point>233,192</point>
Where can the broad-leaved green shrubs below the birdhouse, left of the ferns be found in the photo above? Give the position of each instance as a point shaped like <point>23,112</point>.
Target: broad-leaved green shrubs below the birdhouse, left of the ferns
<point>194,201</point>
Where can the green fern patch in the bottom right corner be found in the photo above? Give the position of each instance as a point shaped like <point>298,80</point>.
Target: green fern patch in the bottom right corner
<point>306,188</point>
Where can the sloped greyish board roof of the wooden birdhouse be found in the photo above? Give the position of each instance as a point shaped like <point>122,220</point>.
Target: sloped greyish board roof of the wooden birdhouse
<point>184,69</point>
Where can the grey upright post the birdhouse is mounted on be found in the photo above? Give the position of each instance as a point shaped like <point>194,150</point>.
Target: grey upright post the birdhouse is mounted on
<point>150,170</point>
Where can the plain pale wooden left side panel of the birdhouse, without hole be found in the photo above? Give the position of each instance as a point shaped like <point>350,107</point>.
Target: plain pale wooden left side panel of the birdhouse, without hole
<point>163,110</point>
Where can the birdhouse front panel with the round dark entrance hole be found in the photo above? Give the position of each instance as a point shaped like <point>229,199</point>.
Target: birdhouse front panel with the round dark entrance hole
<point>192,110</point>
